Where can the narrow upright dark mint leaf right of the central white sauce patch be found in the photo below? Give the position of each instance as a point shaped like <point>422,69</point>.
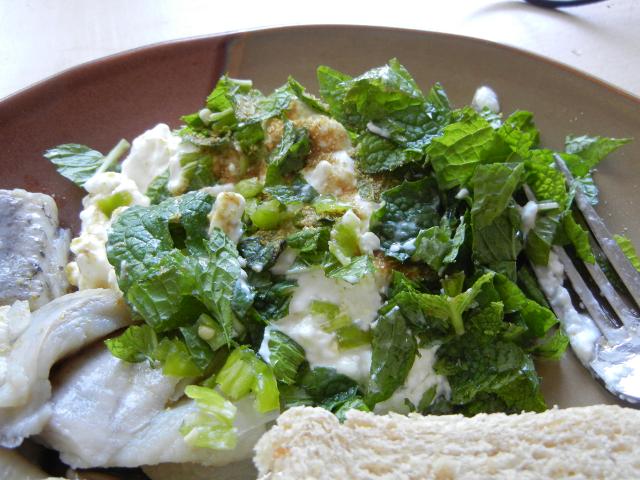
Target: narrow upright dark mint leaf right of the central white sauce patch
<point>394,350</point>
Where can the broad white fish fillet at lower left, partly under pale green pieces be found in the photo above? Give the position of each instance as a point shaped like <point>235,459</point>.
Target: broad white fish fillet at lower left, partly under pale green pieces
<point>109,413</point>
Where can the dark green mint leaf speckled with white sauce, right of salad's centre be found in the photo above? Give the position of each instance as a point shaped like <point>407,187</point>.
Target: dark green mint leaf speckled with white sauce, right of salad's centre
<point>407,209</point>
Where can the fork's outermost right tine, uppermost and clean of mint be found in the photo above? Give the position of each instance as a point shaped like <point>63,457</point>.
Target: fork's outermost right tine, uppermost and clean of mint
<point>628,274</point>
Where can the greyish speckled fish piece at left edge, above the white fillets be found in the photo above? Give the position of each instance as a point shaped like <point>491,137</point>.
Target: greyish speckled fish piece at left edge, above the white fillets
<point>33,249</point>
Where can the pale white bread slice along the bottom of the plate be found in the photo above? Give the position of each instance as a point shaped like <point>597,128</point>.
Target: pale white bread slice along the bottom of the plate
<point>601,441</point>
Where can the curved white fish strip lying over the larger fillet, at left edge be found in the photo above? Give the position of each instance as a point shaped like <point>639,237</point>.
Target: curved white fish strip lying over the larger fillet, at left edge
<point>30,344</point>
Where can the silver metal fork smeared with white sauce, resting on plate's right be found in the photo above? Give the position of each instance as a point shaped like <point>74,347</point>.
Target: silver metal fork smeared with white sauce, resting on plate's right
<point>615,357</point>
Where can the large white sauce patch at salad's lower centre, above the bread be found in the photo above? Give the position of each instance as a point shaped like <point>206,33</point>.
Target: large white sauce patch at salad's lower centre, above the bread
<point>359,301</point>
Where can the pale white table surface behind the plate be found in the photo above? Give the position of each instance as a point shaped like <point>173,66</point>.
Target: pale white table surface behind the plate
<point>39,38</point>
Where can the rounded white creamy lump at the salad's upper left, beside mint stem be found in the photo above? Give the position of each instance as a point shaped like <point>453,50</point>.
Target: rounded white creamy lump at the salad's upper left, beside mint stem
<point>150,154</point>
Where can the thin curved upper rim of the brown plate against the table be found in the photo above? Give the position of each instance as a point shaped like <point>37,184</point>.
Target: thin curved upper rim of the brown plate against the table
<point>72,72</point>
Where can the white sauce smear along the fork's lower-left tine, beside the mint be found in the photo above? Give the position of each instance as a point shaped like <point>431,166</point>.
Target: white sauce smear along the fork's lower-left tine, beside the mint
<point>582,331</point>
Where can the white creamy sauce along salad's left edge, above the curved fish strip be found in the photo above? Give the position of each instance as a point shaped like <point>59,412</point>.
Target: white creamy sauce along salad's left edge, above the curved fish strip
<point>91,268</point>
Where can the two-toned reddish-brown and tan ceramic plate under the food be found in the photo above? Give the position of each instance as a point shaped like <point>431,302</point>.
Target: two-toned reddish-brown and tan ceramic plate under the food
<point>120,96</point>
